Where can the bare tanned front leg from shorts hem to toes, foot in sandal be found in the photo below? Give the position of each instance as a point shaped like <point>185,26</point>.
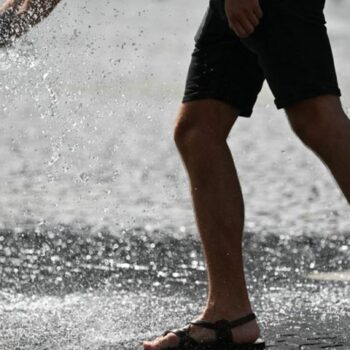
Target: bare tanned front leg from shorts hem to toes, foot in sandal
<point>200,135</point>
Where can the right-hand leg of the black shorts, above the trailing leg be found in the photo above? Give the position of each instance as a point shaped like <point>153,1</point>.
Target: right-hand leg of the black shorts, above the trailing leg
<point>294,52</point>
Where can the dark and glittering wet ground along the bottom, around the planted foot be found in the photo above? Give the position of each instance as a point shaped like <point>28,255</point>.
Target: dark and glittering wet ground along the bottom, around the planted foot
<point>62,289</point>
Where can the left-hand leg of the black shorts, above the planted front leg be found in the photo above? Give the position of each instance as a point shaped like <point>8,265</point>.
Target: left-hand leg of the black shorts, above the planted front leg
<point>221,66</point>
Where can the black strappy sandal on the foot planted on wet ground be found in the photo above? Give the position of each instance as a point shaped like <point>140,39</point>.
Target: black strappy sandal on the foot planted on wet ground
<point>223,341</point>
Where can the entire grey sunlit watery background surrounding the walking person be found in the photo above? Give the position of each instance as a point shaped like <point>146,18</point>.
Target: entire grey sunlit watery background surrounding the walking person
<point>98,244</point>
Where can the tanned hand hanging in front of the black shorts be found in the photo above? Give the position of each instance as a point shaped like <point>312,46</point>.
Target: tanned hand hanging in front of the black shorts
<point>243,16</point>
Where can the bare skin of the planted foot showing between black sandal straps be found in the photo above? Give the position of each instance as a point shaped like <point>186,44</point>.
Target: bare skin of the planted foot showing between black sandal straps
<point>247,333</point>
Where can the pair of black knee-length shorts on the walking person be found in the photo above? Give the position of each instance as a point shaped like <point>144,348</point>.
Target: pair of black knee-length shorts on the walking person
<point>290,48</point>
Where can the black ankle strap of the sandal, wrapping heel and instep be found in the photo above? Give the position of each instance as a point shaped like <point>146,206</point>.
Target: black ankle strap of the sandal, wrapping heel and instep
<point>223,327</point>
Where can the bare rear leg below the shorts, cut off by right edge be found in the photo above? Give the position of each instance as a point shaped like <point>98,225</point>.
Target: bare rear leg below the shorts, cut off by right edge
<point>324,127</point>
